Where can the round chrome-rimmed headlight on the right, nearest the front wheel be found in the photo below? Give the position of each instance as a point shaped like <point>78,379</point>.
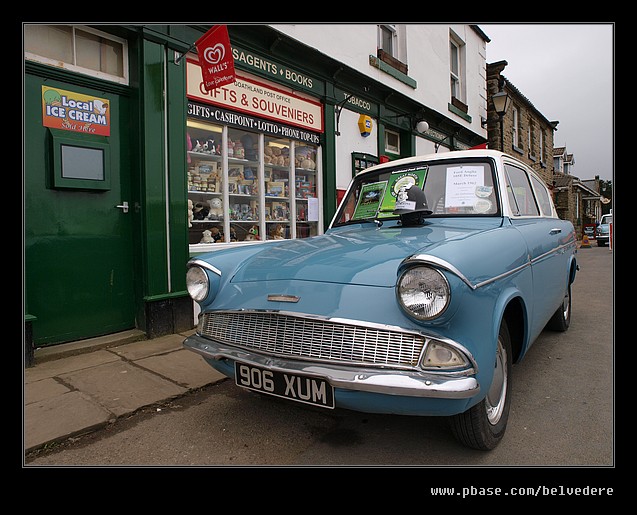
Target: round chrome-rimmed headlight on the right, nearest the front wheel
<point>423,292</point>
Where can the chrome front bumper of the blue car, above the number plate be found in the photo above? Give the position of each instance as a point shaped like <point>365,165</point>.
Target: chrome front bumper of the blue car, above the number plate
<point>410,383</point>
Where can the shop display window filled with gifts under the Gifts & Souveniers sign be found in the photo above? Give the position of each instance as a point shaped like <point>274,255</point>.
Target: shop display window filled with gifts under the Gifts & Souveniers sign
<point>247,186</point>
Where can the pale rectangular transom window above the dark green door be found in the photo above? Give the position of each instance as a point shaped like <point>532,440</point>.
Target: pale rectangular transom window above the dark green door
<point>80,49</point>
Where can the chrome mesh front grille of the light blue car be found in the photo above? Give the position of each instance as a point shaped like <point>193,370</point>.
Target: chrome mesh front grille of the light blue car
<point>313,338</point>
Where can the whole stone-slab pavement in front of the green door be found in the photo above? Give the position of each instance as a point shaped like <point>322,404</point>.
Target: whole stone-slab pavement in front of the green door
<point>80,387</point>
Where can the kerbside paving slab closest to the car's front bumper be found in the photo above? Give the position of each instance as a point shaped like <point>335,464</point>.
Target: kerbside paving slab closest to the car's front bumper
<point>184,367</point>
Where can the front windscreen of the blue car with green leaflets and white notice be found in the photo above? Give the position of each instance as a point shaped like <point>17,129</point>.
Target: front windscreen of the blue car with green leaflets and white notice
<point>451,188</point>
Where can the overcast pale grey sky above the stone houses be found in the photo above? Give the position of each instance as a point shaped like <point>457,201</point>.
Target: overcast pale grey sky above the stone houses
<point>566,71</point>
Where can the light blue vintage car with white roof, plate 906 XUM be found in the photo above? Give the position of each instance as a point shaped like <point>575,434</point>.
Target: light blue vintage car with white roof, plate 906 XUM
<point>435,275</point>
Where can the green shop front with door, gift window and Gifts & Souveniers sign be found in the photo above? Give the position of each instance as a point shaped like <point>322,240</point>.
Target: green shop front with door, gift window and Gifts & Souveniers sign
<point>131,167</point>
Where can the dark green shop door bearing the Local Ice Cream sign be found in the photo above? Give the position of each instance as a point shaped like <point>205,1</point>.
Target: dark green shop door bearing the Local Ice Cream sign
<point>78,240</point>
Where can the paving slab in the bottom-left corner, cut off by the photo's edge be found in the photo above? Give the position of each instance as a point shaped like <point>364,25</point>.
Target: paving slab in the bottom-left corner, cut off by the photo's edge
<point>60,417</point>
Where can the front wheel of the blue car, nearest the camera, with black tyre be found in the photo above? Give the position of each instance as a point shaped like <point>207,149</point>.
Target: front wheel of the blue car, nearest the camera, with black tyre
<point>482,426</point>
